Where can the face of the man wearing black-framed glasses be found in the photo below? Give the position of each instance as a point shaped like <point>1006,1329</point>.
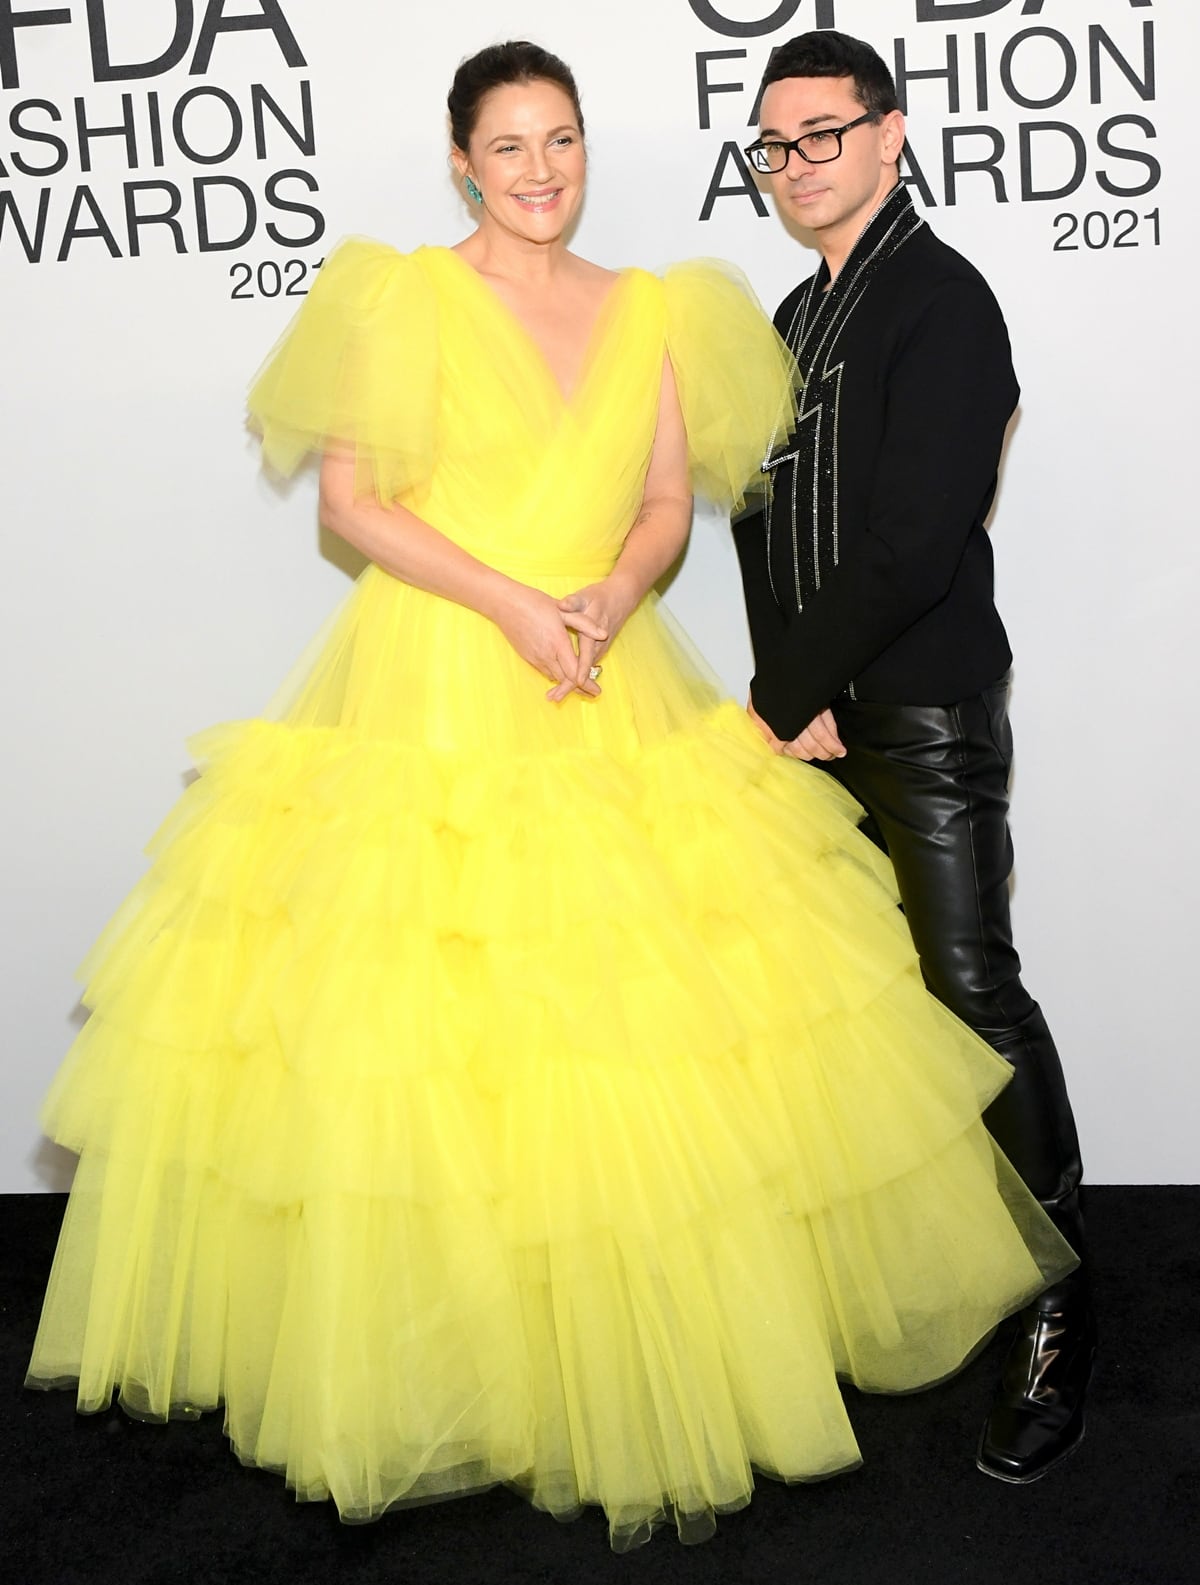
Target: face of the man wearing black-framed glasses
<point>841,196</point>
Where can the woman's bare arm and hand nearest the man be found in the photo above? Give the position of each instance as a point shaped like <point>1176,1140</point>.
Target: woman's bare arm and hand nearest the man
<point>659,535</point>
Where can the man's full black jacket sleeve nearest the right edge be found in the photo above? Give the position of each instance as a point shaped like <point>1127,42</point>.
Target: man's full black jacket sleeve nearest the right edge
<point>949,400</point>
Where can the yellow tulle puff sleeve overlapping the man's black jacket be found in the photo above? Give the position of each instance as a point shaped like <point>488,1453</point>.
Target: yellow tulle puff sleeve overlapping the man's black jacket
<point>736,378</point>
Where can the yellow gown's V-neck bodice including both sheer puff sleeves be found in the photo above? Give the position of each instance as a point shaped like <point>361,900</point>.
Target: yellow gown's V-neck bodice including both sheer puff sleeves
<point>453,410</point>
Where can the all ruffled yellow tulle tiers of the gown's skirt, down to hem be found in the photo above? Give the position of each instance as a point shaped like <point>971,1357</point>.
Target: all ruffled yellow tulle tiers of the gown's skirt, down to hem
<point>564,1120</point>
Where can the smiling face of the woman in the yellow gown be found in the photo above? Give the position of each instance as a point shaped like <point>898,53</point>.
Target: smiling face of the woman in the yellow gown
<point>527,158</point>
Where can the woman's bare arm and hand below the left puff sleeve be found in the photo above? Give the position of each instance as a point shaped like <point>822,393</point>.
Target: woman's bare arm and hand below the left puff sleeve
<point>413,551</point>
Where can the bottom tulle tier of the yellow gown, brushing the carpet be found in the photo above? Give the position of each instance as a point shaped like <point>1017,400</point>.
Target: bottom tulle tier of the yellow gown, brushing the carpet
<point>386,1353</point>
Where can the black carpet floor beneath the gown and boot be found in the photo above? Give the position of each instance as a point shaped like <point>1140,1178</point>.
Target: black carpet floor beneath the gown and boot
<point>107,1499</point>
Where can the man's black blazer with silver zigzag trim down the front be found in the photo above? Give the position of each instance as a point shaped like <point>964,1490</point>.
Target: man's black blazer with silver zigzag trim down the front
<point>898,606</point>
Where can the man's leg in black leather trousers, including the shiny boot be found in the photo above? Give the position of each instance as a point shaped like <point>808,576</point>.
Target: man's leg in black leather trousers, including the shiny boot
<point>934,782</point>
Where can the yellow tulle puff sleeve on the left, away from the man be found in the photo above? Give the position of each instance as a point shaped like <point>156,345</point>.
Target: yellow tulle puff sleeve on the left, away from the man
<point>357,369</point>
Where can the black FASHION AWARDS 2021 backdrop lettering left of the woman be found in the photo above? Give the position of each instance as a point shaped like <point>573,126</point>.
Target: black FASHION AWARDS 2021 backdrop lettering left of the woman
<point>196,136</point>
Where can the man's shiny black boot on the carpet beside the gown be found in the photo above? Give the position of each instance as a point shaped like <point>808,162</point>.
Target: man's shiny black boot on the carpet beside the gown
<point>1038,1418</point>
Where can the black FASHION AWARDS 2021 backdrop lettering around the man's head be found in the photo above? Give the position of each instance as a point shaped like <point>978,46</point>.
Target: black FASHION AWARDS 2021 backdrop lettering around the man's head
<point>1015,102</point>
